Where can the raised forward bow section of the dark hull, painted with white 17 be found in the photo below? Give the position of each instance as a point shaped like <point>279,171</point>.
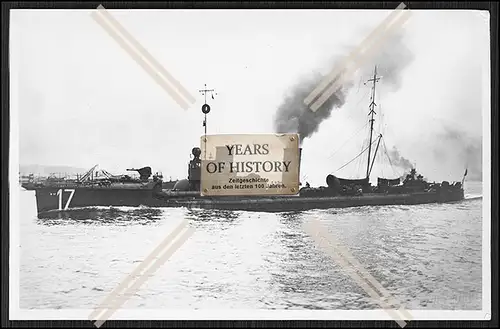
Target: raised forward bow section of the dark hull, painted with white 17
<point>62,199</point>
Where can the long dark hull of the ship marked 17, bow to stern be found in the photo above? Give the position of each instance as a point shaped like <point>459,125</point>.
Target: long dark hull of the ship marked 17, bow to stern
<point>63,199</point>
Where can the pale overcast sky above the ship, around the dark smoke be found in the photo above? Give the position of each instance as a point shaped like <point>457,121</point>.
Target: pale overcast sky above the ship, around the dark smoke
<point>82,100</point>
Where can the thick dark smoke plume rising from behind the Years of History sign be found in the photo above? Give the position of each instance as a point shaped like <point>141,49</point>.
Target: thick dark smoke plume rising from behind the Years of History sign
<point>294,116</point>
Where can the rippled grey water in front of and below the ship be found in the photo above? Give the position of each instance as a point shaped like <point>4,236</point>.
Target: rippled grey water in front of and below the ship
<point>428,257</point>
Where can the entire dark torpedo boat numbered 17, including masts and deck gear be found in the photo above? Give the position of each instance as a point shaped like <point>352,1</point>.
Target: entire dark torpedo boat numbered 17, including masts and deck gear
<point>409,189</point>
